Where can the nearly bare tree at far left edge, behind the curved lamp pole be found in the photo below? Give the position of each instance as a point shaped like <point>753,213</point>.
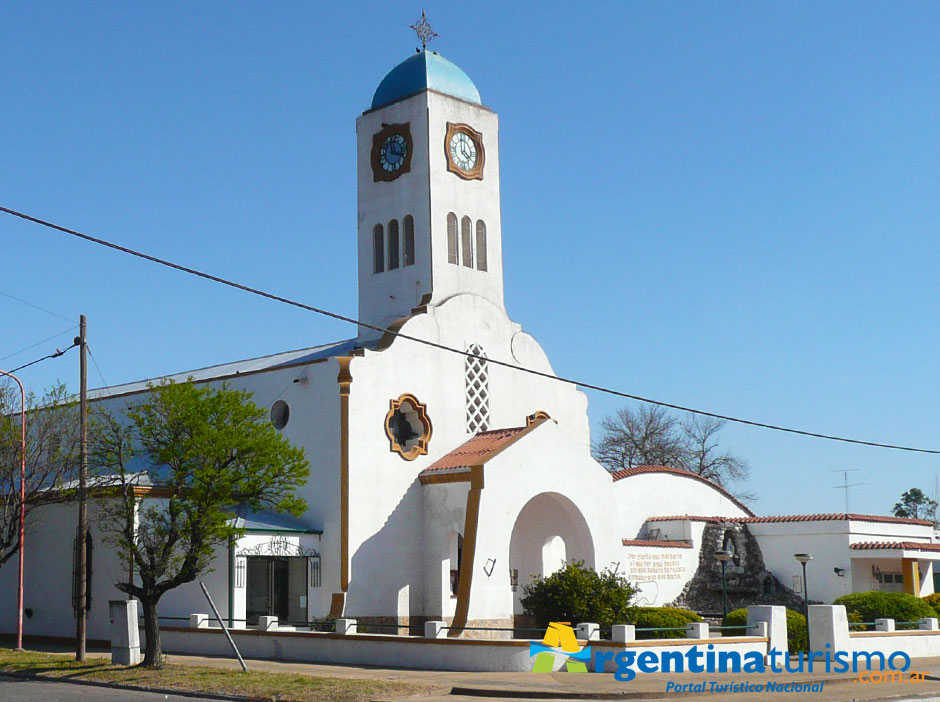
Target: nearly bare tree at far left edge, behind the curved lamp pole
<point>52,429</point>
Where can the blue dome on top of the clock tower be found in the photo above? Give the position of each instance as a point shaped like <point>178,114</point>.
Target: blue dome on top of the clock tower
<point>425,70</point>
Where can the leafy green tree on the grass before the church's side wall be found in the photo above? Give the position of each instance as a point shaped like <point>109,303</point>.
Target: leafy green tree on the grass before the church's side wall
<point>204,451</point>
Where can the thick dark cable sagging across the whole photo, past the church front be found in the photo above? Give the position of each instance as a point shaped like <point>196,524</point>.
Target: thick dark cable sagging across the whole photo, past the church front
<point>449,349</point>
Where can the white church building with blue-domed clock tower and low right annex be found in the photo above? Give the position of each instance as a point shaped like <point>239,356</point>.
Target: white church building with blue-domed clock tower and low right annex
<point>441,482</point>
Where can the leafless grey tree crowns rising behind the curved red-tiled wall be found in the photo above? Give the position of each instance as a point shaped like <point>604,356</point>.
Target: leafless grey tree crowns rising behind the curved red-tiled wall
<point>650,435</point>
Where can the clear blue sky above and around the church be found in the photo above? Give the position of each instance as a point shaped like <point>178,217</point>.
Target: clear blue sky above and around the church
<point>728,205</point>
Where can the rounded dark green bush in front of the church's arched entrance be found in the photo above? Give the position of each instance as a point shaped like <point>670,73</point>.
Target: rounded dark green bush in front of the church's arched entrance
<point>578,594</point>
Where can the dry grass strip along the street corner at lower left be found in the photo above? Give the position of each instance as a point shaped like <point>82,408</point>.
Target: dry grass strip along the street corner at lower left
<point>282,687</point>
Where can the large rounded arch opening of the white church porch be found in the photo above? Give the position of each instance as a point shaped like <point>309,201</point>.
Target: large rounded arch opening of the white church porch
<point>549,531</point>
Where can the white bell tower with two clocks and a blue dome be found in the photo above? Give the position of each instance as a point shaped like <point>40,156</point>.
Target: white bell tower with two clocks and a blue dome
<point>428,192</point>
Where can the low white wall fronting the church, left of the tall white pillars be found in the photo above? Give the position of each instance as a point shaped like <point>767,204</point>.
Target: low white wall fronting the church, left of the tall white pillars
<point>475,655</point>
